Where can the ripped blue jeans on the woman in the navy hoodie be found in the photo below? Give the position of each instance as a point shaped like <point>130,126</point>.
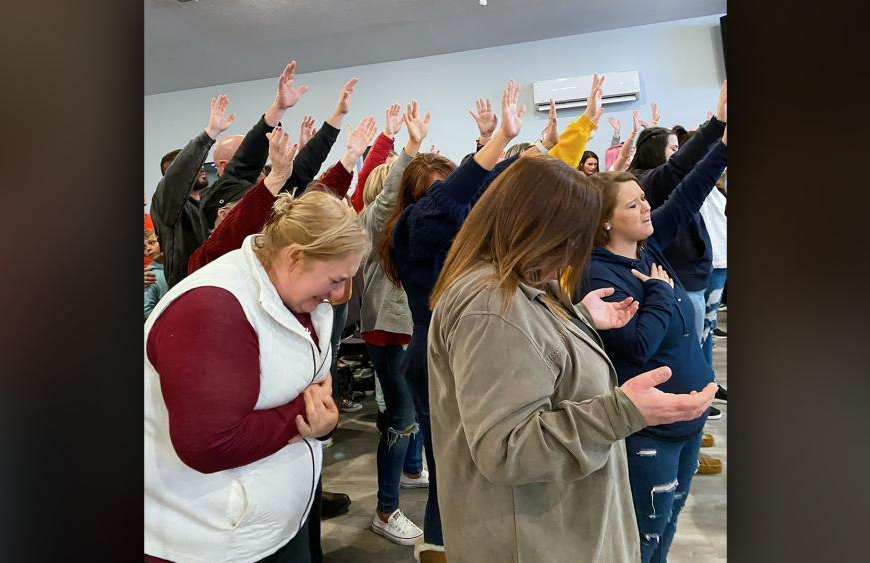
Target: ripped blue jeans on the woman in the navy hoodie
<point>660,473</point>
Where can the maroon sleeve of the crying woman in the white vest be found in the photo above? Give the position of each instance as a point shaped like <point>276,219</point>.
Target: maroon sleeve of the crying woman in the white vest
<point>207,355</point>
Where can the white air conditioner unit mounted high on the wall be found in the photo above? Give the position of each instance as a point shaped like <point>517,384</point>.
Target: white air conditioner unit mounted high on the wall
<point>573,92</point>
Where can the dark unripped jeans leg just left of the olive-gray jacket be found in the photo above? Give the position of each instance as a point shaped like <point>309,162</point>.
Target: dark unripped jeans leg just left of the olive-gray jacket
<point>418,381</point>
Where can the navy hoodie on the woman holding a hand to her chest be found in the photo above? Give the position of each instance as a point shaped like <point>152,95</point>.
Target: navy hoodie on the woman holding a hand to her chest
<point>662,332</point>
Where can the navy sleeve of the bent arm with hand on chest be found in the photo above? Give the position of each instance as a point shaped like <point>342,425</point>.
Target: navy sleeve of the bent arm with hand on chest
<point>638,340</point>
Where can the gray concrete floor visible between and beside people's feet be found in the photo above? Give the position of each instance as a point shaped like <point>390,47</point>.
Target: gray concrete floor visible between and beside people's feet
<point>350,467</point>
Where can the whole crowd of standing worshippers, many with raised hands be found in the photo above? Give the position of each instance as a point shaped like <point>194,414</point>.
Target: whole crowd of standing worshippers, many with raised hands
<point>541,331</point>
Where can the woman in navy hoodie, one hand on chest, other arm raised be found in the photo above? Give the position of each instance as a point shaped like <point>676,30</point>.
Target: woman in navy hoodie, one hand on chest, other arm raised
<point>628,256</point>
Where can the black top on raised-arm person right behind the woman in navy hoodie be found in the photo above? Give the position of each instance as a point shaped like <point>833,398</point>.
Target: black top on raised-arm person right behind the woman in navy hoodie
<point>690,252</point>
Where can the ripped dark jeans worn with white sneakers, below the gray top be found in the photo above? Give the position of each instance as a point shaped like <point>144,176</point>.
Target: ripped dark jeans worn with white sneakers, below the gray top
<point>399,448</point>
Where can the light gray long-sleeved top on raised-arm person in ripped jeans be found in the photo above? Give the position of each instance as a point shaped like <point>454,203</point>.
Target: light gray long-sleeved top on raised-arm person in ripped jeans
<point>384,306</point>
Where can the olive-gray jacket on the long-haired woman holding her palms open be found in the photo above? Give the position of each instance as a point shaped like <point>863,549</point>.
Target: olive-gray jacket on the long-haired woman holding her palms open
<point>528,429</point>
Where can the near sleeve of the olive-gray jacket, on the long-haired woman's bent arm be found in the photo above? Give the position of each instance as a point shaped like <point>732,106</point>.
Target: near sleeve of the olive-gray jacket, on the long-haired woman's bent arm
<point>515,432</point>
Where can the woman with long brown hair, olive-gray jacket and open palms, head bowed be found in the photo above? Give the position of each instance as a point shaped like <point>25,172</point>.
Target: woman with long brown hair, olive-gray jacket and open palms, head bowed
<point>527,421</point>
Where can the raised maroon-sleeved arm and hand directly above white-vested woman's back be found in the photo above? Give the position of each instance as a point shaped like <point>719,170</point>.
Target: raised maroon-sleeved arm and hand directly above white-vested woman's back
<point>251,212</point>
